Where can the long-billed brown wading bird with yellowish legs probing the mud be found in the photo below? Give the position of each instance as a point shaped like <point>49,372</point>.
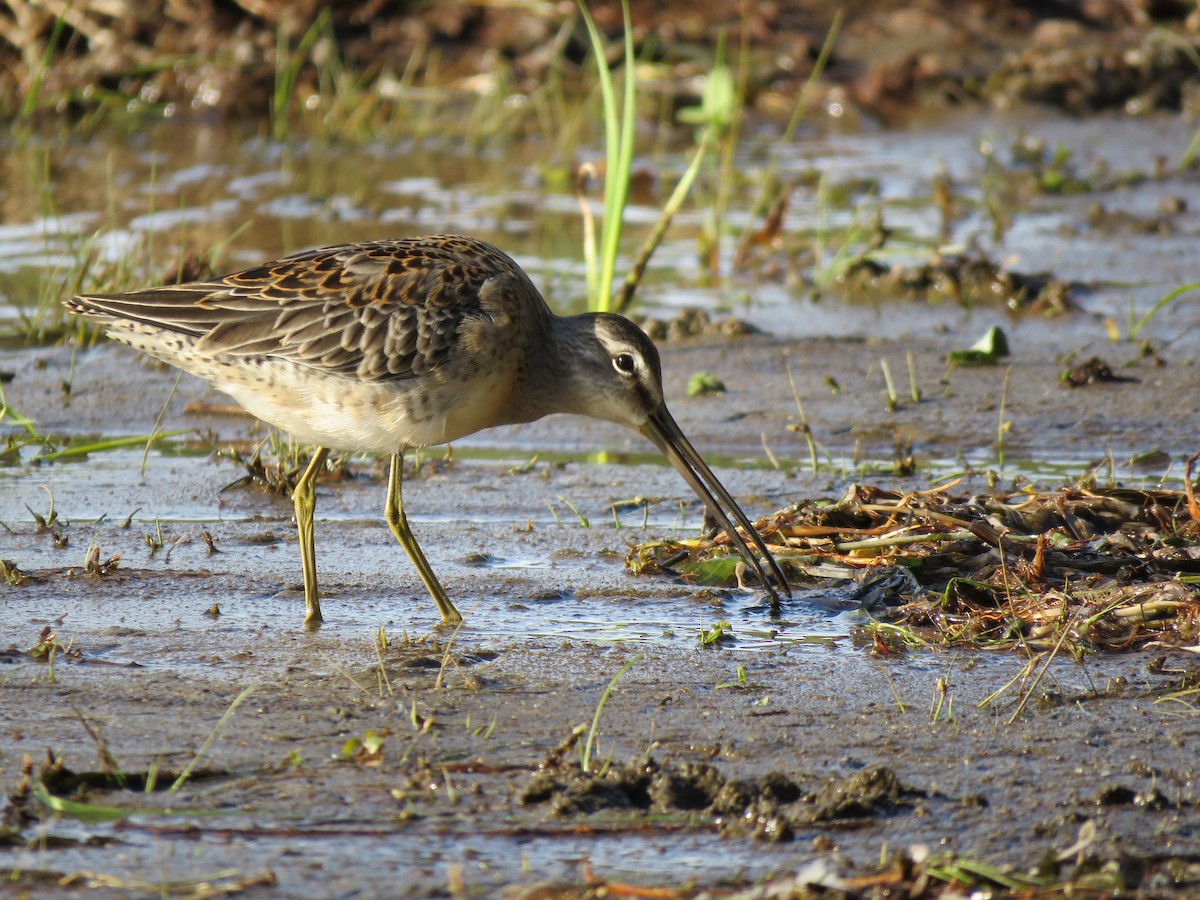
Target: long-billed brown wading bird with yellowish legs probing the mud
<point>386,346</point>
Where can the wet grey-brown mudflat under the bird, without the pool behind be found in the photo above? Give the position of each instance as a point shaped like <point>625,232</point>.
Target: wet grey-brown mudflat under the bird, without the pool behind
<point>449,763</point>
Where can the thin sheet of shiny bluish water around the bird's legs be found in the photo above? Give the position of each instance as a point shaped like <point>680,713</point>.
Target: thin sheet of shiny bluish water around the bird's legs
<point>515,585</point>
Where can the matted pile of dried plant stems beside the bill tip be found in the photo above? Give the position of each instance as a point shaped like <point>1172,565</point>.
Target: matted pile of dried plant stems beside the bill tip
<point>1083,569</point>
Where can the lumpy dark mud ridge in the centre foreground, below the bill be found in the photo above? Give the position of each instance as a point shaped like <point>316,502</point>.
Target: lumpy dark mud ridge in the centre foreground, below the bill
<point>770,808</point>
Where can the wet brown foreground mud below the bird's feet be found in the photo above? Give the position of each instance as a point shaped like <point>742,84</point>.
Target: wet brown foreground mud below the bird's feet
<point>814,758</point>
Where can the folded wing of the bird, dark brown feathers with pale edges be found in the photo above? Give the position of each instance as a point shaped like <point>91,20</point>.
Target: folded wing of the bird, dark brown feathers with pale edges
<point>379,311</point>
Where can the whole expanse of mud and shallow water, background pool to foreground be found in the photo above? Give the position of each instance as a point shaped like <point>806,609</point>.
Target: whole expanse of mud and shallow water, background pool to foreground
<point>551,614</point>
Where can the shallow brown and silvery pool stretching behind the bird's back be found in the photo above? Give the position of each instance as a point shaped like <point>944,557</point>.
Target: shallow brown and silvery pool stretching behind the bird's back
<point>146,196</point>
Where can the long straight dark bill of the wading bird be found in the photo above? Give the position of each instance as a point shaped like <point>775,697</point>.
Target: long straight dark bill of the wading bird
<point>667,436</point>
